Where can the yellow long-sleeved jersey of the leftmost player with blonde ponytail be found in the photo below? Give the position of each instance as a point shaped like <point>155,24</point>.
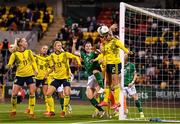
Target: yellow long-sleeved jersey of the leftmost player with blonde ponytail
<point>25,63</point>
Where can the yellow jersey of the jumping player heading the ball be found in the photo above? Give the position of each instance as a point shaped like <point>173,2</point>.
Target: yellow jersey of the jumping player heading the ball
<point>111,51</point>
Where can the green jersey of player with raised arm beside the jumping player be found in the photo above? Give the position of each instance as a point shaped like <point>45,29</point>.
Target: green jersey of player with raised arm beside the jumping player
<point>88,65</point>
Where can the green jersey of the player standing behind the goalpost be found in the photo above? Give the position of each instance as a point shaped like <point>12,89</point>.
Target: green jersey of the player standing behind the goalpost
<point>129,70</point>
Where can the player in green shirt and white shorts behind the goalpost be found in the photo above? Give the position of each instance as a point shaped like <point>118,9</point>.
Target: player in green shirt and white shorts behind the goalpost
<point>130,76</point>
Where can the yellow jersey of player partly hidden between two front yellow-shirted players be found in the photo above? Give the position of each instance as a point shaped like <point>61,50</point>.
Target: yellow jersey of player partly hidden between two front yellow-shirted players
<point>42,66</point>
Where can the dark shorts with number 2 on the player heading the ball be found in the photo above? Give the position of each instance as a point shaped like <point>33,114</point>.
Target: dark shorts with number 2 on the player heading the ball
<point>113,68</point>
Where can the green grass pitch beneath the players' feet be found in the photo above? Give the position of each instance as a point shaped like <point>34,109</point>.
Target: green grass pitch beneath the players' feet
<point>81,114</point>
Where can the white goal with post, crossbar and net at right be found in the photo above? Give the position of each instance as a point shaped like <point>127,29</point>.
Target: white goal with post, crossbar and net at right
<point>154,36</point>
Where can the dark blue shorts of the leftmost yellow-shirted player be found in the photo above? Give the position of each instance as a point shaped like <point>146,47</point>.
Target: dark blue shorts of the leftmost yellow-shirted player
<point>21,80</point>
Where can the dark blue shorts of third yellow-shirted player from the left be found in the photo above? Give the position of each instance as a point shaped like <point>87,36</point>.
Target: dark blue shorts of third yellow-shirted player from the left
<point>57,83</point>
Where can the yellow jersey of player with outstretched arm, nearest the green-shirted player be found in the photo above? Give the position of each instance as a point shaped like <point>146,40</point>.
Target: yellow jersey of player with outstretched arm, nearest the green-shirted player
<point>60,63</point>
